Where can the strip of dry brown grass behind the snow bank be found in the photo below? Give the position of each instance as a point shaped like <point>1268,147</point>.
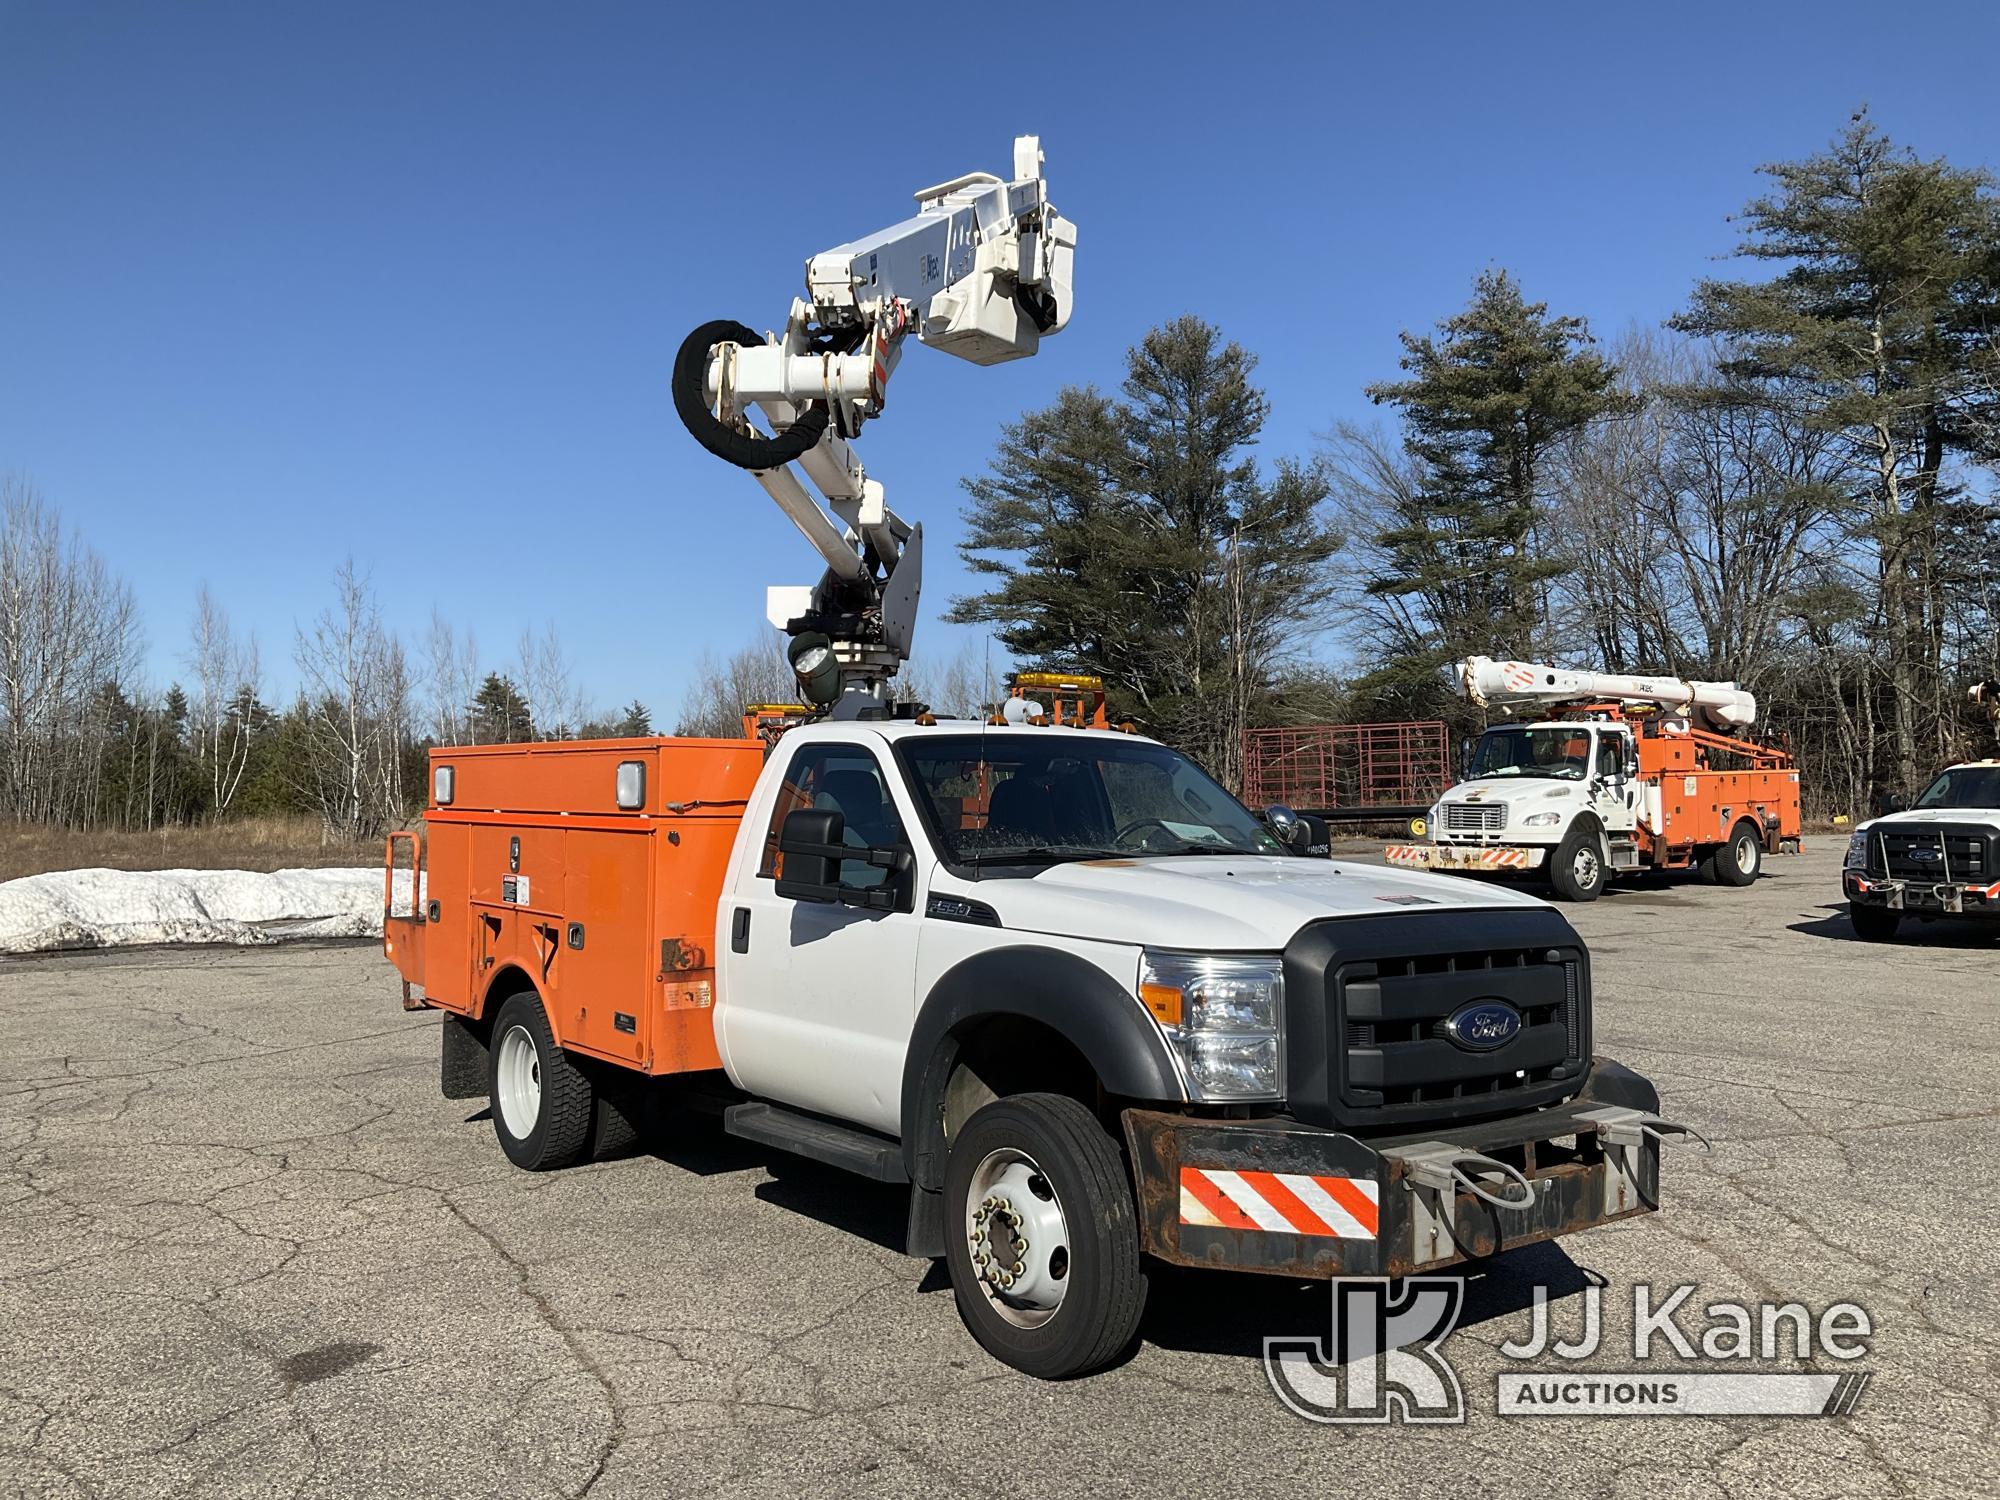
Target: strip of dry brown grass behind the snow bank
<point>243,845</point>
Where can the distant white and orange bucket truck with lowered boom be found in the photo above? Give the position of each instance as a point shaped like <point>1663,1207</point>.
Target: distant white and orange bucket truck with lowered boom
<point>1619,775</point>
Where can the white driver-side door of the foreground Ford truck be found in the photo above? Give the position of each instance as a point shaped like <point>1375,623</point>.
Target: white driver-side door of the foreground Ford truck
<point>817,997</point>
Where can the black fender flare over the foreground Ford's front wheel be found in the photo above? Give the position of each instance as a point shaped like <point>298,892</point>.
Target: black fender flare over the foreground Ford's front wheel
<point>1057,989</point>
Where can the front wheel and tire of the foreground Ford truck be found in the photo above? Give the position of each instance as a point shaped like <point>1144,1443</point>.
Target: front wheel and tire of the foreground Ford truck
<point>1043,1237</point>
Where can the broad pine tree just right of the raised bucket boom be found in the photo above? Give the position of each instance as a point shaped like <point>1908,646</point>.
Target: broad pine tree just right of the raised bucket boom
<point>1137,539</point>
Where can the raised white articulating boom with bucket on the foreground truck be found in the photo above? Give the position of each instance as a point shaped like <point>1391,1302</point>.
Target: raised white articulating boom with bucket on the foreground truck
<point>983,271</point>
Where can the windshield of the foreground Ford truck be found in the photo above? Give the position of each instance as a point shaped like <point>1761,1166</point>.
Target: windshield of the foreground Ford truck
<point>1017,799</point>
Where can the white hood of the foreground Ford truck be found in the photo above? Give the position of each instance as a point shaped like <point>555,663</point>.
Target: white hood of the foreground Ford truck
<point>1251,903</point>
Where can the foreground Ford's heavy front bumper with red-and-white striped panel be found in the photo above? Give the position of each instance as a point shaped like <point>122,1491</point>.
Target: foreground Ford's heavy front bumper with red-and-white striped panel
<point>1297,1201</point>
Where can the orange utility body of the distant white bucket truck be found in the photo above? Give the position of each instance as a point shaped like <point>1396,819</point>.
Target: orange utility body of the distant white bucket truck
<point>1703,797</point>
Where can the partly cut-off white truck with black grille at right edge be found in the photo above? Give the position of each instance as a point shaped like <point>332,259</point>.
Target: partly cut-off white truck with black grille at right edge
<point>1939,859</point>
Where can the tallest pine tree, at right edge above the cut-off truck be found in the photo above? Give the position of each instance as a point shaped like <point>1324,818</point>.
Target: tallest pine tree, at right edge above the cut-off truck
<point>1881,327</point>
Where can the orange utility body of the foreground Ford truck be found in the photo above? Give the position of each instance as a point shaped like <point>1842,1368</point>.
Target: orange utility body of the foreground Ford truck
<point>609,911</point>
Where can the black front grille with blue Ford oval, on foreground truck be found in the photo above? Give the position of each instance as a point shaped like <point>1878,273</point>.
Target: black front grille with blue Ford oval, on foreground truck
<point>1389,985</point>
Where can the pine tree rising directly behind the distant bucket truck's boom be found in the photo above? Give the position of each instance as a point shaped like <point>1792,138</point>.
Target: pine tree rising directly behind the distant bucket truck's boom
<point>1485,403</point>
